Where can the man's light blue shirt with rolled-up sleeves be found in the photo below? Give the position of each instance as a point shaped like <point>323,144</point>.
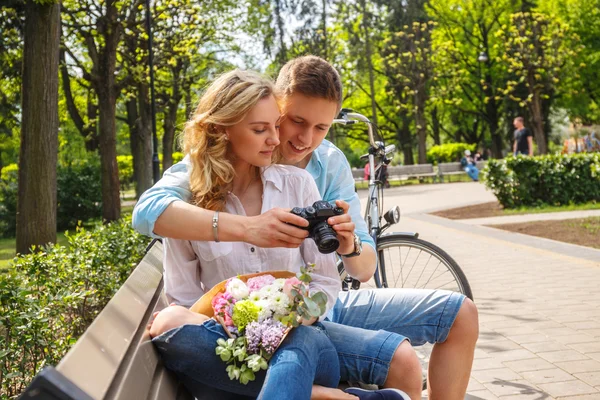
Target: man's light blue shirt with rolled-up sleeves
<point>328,166</point>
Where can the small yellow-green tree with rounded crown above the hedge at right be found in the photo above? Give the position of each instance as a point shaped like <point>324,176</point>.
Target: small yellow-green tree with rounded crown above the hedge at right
<point>537,50</point>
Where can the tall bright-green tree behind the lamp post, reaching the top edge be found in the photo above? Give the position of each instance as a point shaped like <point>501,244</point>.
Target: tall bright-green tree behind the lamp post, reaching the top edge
<point>467,88</point>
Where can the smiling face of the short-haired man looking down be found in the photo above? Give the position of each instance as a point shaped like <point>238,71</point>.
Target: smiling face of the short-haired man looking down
<point>306,123</point>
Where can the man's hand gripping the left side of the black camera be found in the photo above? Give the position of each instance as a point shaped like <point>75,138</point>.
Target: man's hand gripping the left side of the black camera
<point>275,228</point>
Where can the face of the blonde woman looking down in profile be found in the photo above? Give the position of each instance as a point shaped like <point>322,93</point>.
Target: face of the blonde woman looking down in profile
<point>254,138</point>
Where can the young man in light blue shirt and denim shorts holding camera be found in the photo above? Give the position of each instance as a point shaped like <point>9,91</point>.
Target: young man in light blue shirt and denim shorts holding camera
<point>312,95</point>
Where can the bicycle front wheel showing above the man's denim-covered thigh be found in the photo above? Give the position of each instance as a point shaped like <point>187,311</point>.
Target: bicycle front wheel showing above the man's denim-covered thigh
<point>409,262</point>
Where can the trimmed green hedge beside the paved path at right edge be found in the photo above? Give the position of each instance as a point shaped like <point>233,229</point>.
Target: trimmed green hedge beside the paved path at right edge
<point>550,179</point>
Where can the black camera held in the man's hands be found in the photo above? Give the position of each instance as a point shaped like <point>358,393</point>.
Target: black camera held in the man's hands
<point>318,229</point>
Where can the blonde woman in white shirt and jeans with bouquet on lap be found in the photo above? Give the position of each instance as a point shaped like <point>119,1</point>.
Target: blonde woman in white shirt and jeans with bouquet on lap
<point>230,141</point>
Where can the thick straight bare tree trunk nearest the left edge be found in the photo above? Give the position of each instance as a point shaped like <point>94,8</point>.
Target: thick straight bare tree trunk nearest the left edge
<point>36,208</point>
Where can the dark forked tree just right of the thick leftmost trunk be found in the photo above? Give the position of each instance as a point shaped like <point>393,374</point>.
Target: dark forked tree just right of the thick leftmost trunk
<point>96,30</point>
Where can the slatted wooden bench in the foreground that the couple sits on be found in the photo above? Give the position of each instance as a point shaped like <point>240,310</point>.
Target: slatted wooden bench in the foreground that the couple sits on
<point>114,358</point>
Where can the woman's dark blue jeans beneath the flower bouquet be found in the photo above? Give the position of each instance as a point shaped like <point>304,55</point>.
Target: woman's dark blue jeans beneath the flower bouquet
<point>306,356</point>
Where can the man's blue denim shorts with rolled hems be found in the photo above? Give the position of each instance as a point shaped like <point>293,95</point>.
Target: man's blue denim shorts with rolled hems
<point>367,326</point>
